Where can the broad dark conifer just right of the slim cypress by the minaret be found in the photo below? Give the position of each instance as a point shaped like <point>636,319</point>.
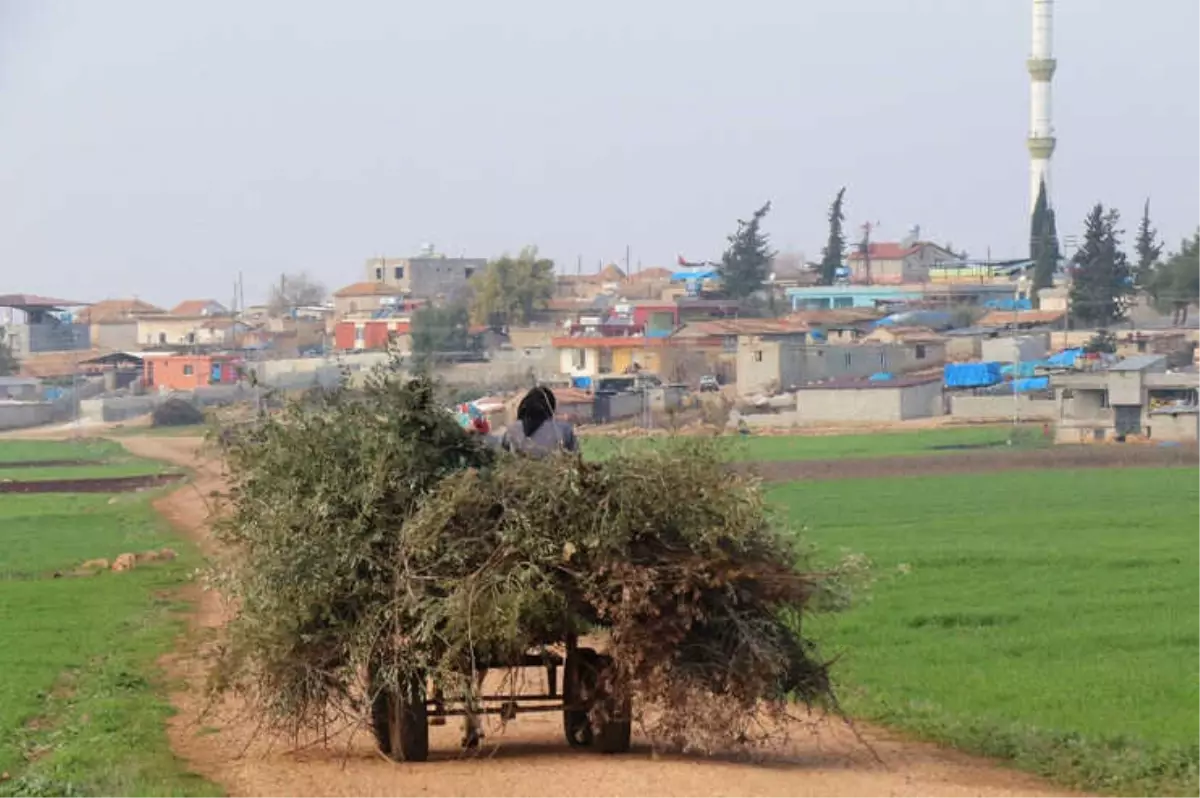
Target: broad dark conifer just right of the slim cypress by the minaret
<point>1102,289</point>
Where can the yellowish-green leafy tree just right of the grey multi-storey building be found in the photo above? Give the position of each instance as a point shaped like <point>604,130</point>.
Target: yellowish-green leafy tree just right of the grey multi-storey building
<point>511,290</point>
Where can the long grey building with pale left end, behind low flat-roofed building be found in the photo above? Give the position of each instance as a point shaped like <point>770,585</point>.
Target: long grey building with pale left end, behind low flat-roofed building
<point>770,364</point>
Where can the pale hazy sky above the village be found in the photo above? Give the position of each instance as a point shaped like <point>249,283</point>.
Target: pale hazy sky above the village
<point>160,149</point>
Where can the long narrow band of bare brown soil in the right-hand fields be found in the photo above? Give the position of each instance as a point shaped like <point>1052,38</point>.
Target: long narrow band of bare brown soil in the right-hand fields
<point>979,463</point>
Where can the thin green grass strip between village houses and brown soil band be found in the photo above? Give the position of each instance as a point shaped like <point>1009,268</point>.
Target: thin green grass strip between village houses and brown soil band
<point>879,445</point>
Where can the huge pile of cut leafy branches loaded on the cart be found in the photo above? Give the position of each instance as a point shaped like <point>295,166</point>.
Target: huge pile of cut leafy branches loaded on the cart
<point>374,536</point>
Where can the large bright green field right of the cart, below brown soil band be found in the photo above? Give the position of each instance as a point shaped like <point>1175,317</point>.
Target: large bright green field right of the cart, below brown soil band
<point>1047,619</point>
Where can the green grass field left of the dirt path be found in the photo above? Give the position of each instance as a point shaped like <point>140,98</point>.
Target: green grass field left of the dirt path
<point>82,703</point>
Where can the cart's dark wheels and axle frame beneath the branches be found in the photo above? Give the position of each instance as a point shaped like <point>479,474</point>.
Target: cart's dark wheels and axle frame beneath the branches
<point>401,718</point>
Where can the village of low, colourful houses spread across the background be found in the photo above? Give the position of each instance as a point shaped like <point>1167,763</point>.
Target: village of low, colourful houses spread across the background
<point>910,333</point>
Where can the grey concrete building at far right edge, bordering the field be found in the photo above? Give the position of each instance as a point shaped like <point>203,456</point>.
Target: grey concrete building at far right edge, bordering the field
<point>1137,398</point>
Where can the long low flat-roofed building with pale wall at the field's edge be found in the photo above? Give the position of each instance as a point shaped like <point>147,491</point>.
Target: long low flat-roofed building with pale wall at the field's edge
<point>869,401</point>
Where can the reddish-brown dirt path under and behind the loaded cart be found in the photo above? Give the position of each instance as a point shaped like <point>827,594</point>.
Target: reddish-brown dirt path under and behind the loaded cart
<point>529,759</point>
